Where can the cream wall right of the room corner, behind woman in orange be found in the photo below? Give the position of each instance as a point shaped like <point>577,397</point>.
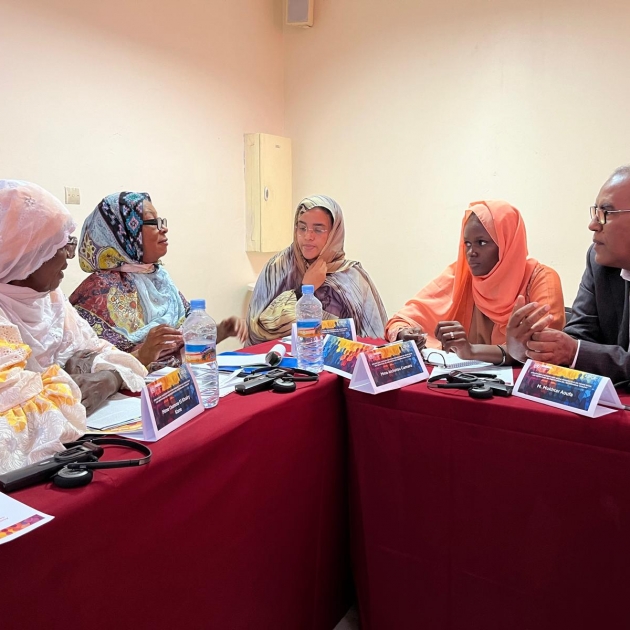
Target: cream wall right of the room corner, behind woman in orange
<point>406,110</point>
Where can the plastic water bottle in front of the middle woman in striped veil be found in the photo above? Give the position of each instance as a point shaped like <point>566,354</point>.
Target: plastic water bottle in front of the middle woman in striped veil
<point>309,331</point>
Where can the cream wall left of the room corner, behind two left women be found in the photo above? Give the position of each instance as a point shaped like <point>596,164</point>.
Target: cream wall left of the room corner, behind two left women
<point>121,95</point>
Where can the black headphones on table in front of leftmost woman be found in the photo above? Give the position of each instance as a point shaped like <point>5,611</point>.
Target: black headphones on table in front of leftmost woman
<point>77,474</point>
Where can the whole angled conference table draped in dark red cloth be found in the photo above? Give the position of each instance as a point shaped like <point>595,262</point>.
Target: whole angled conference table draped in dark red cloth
<point>458,514</point>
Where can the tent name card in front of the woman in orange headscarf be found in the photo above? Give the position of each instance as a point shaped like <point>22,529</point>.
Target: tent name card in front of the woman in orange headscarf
<point>383,368</point>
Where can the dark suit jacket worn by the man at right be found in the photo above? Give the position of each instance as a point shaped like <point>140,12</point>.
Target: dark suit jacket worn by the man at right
<point>600,320</point>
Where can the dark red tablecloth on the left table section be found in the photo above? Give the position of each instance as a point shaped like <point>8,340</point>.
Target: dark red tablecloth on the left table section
<point>239,522</point>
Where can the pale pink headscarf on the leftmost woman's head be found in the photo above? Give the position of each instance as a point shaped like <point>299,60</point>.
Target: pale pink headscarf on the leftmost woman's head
<point>33,225</point>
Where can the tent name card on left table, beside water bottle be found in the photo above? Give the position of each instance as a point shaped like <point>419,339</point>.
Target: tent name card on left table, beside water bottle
<point>168,402</point>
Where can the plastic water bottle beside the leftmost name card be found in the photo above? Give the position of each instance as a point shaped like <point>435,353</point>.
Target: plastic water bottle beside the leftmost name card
<point>200,345</point>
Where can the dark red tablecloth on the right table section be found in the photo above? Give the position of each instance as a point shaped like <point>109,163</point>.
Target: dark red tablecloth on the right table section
<point>487,515</point>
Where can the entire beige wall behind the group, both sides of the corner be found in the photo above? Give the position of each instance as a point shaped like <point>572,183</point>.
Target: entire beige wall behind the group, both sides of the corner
<point>403,110</point>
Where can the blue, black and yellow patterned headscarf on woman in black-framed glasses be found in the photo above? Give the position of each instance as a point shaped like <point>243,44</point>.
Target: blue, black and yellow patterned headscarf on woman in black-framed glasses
<point>112,235</point>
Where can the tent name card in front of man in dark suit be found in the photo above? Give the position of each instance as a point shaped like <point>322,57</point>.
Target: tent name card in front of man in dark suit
<point>587,394</point>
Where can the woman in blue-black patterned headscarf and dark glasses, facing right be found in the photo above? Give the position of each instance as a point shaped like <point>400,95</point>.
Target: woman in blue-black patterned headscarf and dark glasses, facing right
<point>129,298</point>
